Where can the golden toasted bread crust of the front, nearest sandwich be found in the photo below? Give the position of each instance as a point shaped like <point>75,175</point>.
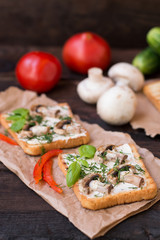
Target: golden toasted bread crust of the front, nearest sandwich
<point>148,192</point>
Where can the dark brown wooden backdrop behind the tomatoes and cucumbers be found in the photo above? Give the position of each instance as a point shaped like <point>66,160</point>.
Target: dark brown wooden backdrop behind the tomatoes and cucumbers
<point>40,22</point>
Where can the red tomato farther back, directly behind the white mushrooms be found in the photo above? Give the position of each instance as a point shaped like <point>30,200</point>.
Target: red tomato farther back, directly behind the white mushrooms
<point>85,50</point>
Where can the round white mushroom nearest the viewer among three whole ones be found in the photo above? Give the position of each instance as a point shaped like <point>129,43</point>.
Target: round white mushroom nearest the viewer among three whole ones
<point>117,106</point>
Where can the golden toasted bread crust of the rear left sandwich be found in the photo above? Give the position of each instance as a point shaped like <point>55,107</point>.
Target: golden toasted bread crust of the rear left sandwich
<point>36,149</point>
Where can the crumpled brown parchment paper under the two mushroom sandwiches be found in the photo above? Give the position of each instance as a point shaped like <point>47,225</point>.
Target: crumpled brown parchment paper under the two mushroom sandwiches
<point>91,223</point>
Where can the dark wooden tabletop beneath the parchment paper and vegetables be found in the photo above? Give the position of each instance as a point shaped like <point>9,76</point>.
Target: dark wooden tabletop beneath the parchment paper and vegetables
<point>26,216</point>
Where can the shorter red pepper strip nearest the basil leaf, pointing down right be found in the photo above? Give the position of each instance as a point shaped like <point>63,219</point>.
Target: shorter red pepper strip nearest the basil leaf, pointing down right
<point>47,176</point>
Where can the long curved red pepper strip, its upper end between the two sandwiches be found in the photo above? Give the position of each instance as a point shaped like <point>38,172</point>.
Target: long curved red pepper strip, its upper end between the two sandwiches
<point>37,173</point>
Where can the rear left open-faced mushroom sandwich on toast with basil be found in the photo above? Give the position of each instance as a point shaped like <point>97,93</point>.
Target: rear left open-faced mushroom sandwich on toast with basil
<point>44,127</point>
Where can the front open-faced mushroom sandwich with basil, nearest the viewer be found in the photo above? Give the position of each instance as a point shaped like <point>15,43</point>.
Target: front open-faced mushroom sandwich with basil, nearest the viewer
<point>107,176</point>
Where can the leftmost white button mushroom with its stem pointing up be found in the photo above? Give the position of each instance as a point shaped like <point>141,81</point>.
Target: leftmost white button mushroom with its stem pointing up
<point>91,88</point>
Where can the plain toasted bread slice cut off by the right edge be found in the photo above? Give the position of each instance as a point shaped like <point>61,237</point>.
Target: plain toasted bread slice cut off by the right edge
<point>152,91</point>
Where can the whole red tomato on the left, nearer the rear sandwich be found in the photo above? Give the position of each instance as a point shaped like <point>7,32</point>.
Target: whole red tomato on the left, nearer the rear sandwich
<point>38,71</point>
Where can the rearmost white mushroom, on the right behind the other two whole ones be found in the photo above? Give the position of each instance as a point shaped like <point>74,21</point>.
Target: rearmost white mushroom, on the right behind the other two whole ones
<point>126,74</point>
